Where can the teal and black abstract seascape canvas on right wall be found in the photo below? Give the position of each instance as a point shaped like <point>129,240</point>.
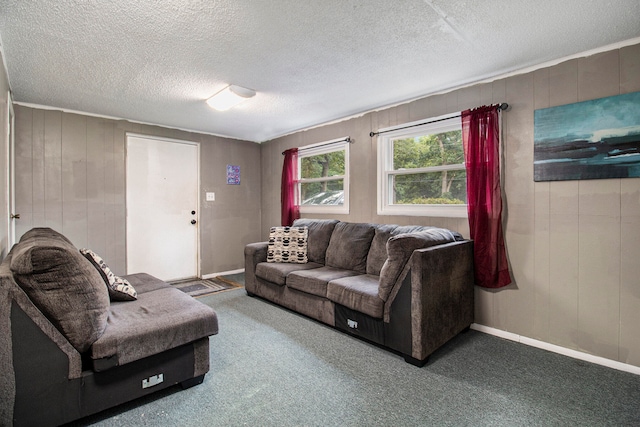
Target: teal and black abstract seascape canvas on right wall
<point>594,139</point>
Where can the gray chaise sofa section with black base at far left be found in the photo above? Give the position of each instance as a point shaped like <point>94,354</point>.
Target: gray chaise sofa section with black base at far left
<point>67,350</point>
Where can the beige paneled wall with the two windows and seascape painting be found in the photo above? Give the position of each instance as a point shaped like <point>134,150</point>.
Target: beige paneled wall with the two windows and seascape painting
<point>573,246</point>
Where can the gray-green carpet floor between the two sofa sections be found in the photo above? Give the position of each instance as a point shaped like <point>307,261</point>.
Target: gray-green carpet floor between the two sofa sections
<point>272,367</point>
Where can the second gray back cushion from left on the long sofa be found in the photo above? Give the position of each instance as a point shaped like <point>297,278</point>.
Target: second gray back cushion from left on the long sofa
<point>349,246</point>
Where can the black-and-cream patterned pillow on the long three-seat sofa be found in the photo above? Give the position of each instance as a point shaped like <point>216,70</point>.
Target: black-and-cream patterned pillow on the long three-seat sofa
<point>288,244</point>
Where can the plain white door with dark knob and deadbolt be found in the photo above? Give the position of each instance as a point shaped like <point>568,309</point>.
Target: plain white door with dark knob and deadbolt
<point>162,207</point>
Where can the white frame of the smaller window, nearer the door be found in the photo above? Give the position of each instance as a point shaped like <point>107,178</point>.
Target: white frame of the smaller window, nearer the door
<point>340,144</point>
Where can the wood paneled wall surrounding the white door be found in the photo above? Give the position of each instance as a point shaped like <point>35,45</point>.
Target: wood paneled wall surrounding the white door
<point>70,176</point>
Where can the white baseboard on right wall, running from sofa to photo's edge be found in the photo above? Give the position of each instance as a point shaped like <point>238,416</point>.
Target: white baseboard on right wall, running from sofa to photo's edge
<point>558,349</point>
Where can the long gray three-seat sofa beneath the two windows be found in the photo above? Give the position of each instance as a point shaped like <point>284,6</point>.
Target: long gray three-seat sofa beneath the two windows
<point>407,288</point>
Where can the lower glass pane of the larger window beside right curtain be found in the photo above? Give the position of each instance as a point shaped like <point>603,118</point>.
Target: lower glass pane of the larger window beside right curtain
<point>433,188</point>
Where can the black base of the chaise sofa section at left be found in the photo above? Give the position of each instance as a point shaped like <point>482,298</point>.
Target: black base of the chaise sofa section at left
<point>46,397</point>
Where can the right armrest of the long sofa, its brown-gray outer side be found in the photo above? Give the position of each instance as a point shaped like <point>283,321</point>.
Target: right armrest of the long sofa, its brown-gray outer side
<point>442,295</point>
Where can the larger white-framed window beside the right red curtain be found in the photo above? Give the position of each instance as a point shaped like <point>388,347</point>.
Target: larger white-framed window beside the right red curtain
<point>421,169</point>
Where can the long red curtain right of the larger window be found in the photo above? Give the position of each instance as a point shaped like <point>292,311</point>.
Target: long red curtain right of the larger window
<point>481,140</point>
